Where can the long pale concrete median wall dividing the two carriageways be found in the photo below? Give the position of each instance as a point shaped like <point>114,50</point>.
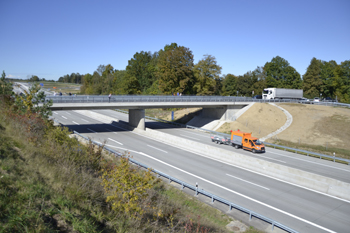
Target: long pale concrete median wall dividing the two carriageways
<point>306,179</point>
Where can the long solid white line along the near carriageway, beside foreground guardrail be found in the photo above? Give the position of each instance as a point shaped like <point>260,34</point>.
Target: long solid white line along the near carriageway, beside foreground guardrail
<point>240,194</point>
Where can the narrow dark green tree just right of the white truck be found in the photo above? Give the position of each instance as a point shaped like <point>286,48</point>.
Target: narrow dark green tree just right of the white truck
<point>312,79</point>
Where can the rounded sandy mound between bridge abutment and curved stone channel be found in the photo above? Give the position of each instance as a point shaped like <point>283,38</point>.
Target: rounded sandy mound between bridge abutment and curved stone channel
<point>261,119</point>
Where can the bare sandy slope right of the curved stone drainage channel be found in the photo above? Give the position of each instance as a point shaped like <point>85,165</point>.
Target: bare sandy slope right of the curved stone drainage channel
<point>318,125</point>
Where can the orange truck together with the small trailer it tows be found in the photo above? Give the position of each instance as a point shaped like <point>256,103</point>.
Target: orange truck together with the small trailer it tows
<point>240,139</point>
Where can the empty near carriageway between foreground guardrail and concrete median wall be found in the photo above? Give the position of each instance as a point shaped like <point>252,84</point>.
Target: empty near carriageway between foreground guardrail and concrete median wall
<point>299,208</point>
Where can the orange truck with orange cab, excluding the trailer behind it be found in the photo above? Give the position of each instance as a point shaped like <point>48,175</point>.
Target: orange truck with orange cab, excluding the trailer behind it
<point>246,141</point>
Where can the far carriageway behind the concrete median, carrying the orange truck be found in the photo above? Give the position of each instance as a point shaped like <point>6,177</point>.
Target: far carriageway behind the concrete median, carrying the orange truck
<point>314,165</point>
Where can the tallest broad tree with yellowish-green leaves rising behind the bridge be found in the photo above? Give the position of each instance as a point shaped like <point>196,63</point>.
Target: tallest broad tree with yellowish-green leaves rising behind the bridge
<point>175,70</point>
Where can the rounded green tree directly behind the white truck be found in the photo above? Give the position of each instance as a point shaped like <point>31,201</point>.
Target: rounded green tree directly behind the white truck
<point>280,74</point>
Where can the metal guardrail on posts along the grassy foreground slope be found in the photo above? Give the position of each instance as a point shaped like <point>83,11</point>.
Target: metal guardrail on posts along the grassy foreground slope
<point>198,191</point>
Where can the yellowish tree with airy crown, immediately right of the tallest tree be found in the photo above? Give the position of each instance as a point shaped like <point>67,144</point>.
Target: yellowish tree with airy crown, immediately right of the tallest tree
<point>206,73</point>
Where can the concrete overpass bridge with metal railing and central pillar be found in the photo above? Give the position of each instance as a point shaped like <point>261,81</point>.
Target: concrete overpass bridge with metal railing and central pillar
<point>219,107</point>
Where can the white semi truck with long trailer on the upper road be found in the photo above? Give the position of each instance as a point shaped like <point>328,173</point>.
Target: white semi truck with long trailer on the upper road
<point>281,93</point>
